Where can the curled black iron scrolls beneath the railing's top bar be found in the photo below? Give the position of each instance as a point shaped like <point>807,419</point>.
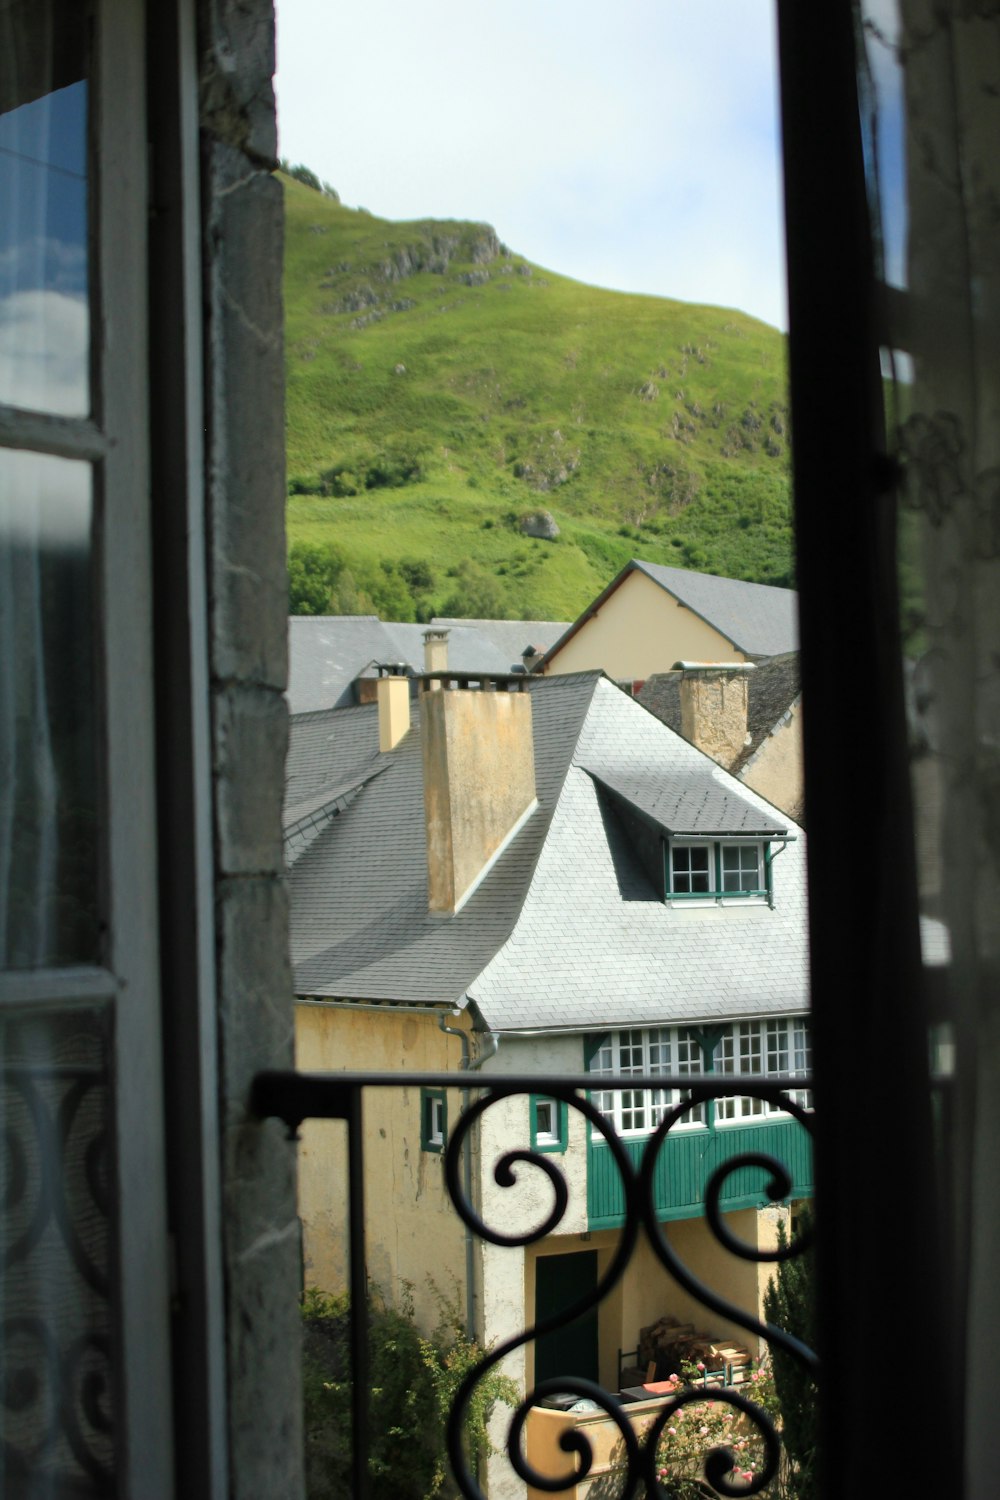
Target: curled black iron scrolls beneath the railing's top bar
<point>639,1456</point>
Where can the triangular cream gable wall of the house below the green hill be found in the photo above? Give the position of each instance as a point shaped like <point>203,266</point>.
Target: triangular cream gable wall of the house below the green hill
<point>639,631</point>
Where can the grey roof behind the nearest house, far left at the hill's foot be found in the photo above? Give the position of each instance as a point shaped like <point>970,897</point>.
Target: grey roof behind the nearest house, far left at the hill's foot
<point>326,653</point>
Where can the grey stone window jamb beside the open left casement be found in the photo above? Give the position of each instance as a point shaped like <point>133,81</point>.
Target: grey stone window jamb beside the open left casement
<point>245,473</point>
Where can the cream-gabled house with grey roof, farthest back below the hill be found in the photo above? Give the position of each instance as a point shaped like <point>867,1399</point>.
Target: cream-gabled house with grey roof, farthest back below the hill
<point>651,617</point>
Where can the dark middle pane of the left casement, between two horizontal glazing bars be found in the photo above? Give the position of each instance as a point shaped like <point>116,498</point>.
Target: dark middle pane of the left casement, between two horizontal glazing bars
<point>49,763</point>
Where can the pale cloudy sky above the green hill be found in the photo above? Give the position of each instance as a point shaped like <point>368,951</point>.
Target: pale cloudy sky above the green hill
<point>632,146</point>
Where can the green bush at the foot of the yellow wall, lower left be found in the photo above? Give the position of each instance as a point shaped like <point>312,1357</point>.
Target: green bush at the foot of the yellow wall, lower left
<point>413,1381</point>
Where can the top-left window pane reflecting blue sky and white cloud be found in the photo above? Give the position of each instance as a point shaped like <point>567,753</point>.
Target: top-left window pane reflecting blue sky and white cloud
<point>44,275</point>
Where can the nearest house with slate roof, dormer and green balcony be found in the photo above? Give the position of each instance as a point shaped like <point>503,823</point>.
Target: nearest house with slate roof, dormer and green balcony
<point>540,881</point>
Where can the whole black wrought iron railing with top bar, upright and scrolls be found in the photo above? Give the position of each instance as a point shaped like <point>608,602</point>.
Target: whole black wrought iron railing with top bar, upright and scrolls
<point>298,1097</point>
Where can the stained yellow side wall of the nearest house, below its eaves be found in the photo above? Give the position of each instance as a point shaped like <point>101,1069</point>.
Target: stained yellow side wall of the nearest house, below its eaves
<point>413,1232</point>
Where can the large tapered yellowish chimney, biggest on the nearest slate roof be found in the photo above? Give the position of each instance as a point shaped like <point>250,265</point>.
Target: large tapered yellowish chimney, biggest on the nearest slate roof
<point>479,778</point>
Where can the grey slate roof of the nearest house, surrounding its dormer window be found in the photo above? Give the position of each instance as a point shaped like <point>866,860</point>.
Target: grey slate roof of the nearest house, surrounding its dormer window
<point>566,931</point>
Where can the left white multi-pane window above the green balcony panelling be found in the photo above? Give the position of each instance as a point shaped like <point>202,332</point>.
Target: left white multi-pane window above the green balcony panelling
<point>633,1054</point>
